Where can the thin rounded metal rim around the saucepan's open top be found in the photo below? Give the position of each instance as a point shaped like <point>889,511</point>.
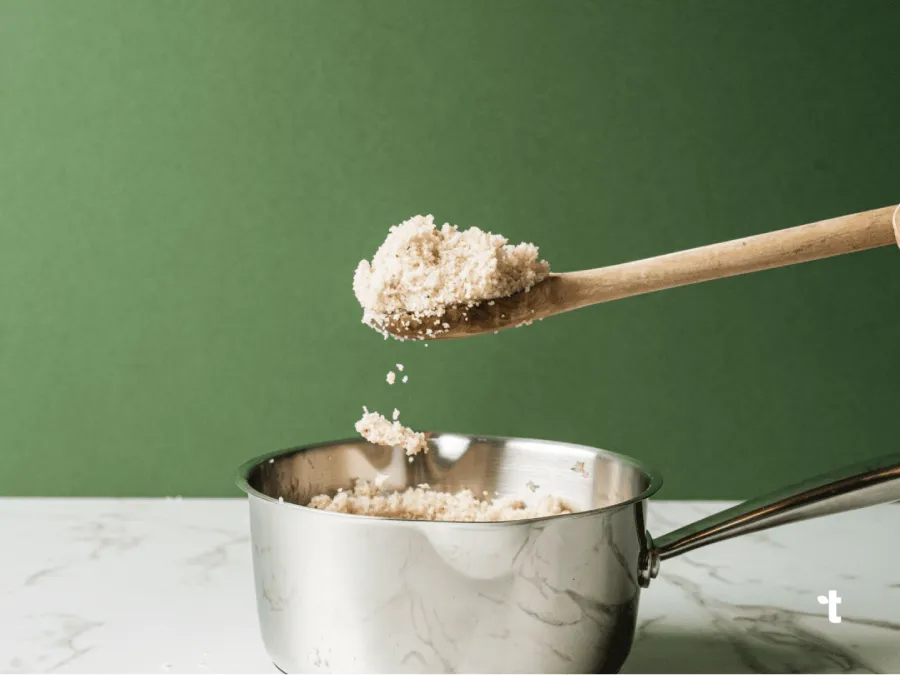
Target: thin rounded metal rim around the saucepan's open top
<point>655,483</point>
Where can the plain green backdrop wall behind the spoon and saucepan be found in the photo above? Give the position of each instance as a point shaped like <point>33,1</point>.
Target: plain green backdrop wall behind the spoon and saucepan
<point>187,187</point>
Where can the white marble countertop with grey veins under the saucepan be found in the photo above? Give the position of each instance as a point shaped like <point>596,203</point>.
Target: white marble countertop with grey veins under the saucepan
<point>156,586</point>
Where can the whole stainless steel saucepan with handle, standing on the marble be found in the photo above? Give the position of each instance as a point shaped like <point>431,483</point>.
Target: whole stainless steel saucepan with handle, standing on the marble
<point>343,593</point>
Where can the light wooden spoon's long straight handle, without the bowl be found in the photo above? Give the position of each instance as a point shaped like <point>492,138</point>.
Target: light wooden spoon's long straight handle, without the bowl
<point>823,239</point>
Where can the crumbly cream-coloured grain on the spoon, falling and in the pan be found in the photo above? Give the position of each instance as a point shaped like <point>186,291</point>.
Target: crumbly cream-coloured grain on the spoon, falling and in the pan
<point>417,273</point>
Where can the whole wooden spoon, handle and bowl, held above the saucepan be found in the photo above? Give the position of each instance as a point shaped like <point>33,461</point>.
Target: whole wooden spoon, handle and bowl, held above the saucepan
<point>572,290</point>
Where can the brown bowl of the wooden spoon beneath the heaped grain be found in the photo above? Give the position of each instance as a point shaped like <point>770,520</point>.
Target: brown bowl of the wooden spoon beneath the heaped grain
<point>486,317</point>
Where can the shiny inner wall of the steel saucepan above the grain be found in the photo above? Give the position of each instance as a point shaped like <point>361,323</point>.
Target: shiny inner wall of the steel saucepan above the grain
<point>508,466</point>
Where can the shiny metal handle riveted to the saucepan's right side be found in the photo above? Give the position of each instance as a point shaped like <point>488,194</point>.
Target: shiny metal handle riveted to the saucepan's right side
<point>867,483</point>
